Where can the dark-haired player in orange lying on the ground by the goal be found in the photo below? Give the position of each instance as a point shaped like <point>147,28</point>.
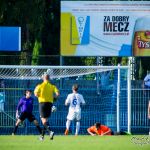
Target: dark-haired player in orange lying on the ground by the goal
<point>99,129</point>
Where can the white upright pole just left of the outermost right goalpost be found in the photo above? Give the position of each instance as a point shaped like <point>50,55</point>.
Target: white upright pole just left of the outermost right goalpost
<point>118,99</point>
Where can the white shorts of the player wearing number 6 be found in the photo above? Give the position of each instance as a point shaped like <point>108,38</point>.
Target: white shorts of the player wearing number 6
<point>72,115</point>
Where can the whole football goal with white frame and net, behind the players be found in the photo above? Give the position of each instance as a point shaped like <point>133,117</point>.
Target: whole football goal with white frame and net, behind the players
<point>106,90</point>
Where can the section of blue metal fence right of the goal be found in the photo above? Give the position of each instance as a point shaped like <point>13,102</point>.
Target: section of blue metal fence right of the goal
<point>139,107</point>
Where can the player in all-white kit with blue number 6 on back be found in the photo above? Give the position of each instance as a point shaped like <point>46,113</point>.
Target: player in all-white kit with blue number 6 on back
<point>74,100</point>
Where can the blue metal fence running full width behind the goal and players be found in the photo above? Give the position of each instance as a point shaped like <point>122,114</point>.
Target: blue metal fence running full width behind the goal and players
<point>97,105</point>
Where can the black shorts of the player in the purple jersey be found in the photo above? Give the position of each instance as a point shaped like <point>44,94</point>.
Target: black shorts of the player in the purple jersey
<point>26,115</point>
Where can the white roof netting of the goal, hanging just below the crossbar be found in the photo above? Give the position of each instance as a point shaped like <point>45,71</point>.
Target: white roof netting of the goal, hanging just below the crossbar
<point>36,72</point>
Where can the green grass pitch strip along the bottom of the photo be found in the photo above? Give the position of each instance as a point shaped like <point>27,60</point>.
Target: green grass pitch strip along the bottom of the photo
<point>75,143</point>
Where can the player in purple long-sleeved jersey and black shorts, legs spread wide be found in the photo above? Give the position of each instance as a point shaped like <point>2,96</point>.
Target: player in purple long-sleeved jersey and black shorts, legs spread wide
<point>25,105</point>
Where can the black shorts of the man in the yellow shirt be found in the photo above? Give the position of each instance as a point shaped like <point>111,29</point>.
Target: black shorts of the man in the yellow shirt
<point>45,109</point>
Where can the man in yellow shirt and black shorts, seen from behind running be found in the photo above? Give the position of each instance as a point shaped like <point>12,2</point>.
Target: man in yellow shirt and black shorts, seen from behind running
<point>46,93</point>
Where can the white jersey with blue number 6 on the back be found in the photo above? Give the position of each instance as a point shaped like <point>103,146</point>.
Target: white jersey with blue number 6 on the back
<point>75,99</point>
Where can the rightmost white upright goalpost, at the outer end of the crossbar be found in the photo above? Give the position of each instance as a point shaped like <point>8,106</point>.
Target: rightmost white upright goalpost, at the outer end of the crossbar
<point>129,100</point>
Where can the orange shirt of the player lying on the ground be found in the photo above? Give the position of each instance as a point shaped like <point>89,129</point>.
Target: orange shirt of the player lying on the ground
<point>100,131</point>
